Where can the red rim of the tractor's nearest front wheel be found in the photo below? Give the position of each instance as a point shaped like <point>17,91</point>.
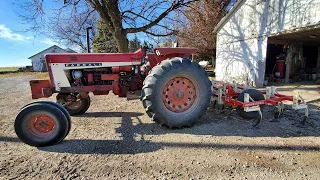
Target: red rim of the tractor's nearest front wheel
<point>41,125</point>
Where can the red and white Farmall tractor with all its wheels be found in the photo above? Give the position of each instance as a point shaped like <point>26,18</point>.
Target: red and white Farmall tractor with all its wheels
<point>175,91</point>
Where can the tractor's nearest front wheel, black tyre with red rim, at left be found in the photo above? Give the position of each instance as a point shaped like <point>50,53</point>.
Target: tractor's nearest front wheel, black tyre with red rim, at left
<point>41,124</point>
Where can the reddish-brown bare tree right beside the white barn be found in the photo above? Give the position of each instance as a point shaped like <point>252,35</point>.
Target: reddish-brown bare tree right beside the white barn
<point>196,24</point>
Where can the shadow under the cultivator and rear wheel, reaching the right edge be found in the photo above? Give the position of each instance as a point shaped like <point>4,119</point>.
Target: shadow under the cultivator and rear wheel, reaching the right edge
<point>221,123</point>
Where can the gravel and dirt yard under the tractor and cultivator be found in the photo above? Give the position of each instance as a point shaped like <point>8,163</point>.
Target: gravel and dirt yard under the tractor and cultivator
<point>115,139</point>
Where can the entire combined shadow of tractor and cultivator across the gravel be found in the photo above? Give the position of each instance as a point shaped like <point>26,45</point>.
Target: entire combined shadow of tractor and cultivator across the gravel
<point>212,123</point>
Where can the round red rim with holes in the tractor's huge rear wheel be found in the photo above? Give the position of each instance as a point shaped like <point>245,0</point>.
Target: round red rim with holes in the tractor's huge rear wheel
<point>179,94</point>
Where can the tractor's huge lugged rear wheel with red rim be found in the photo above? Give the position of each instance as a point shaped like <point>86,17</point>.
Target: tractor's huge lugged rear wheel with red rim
<point>176,93</point>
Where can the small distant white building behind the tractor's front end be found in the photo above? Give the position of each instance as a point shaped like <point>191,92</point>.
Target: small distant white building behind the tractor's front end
<point>38,61</point>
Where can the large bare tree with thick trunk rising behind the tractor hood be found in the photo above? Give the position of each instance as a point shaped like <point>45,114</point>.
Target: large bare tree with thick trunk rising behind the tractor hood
<point>121,17</point>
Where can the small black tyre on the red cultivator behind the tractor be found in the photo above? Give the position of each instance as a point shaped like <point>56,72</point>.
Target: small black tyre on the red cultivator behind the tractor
<point>256,96</point>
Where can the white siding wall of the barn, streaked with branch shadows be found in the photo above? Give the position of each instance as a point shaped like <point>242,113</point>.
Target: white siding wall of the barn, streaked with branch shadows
<point>242,41</point>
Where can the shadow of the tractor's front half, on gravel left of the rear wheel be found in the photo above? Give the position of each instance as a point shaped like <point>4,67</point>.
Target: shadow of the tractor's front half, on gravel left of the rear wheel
<point>127,145</point>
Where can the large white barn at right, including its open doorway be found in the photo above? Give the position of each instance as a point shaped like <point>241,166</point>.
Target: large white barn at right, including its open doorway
<point>254,31</point>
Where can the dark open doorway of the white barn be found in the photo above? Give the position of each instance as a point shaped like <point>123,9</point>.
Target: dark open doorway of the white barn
<point>294,56</point>
